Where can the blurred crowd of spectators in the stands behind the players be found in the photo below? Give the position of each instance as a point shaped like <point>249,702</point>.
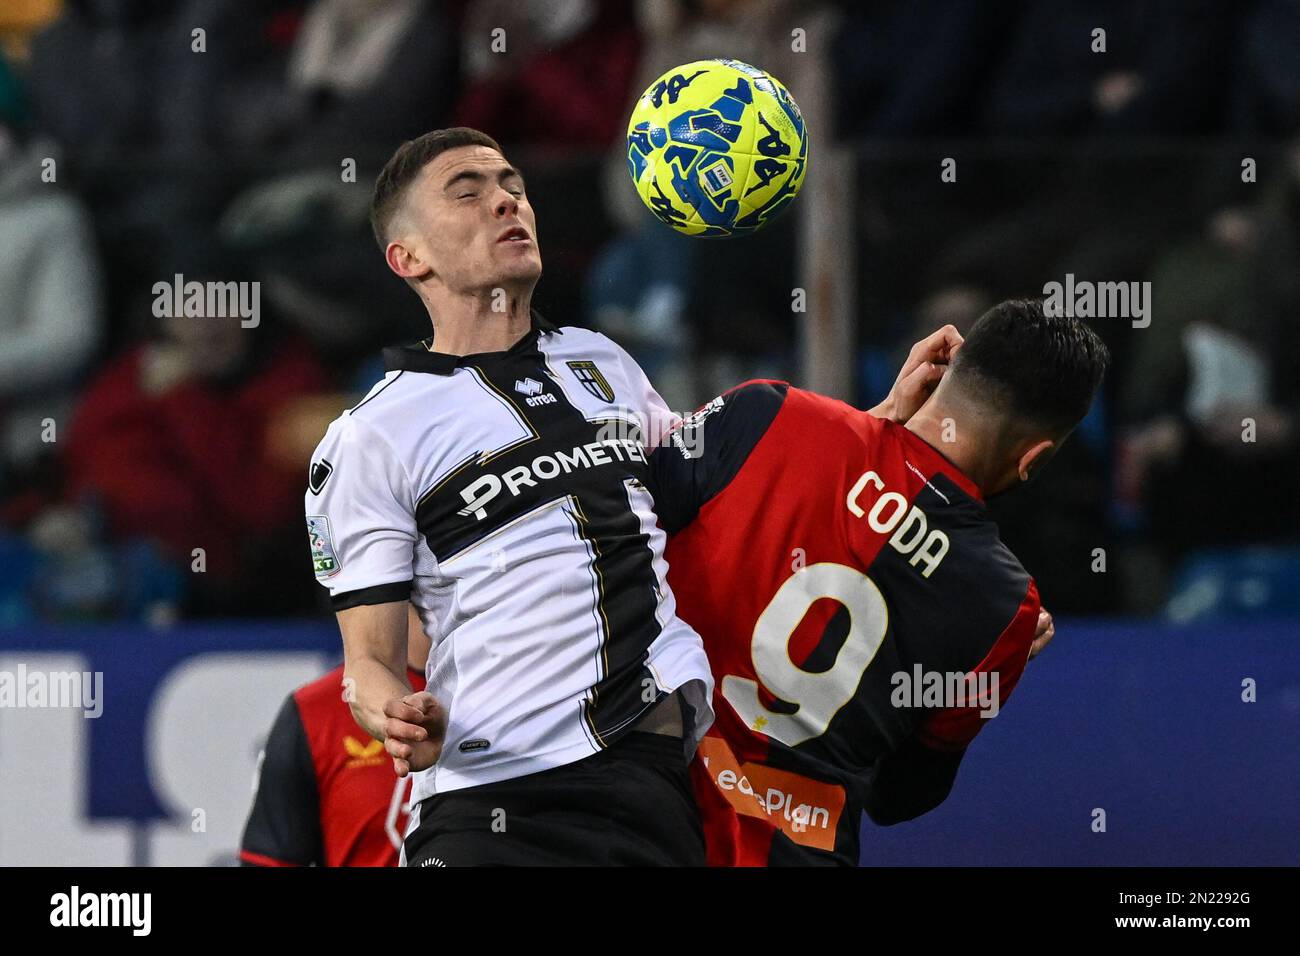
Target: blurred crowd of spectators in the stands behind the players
<point>154,466</point>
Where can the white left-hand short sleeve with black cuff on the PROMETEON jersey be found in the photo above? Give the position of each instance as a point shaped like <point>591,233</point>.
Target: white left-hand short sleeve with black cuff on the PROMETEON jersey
<point>361,517</point>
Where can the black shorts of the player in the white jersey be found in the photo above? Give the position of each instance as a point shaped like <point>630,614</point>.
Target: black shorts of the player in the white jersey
<point>629,806</point>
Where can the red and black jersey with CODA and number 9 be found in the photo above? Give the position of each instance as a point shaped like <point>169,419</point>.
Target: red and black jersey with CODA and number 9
<point>831,561</point>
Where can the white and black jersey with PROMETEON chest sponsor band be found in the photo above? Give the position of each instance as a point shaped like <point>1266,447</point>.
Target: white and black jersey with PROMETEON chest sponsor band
<point>505,495</point>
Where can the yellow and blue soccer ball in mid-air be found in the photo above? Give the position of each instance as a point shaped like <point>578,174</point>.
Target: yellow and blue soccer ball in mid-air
<point>717,148</point>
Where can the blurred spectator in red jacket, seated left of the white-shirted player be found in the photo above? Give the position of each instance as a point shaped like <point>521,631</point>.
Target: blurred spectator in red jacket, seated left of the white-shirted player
<point>183,442</point>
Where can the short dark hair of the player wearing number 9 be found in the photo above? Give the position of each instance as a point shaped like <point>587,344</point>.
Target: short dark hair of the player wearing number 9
<point>1039,367</point>
